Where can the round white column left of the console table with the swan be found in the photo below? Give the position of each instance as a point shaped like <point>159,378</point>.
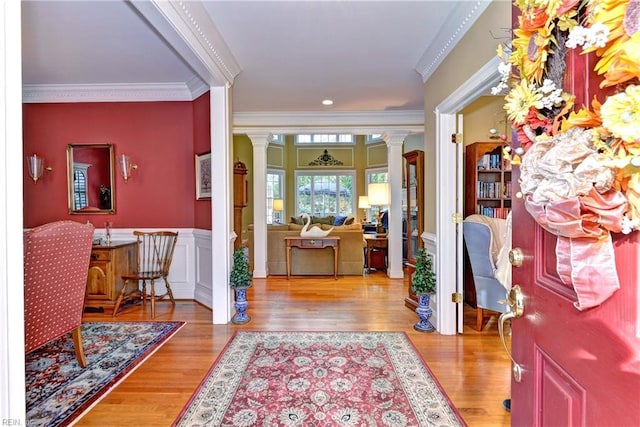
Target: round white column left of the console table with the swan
<point>260,142</point>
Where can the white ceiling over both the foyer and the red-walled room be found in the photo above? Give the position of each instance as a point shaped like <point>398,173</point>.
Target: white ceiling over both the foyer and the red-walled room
<point>368,56</point>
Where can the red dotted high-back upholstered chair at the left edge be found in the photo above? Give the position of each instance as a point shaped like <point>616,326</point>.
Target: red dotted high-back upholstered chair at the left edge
<point>56,262</point>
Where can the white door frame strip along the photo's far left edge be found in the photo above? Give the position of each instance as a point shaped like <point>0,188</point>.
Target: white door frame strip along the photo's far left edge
<point>12,404</point>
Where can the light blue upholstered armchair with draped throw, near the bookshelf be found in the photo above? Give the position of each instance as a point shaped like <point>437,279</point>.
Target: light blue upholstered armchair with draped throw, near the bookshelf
<point>488,241</point>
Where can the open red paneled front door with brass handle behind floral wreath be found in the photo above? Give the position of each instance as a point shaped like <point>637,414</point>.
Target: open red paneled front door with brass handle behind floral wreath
<point>577,368</point>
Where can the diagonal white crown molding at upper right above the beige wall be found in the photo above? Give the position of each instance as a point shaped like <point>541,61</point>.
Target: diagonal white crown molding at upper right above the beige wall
<point>462,19</point>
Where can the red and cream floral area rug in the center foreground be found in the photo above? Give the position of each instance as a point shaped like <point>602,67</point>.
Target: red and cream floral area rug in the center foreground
<point>319,379</point>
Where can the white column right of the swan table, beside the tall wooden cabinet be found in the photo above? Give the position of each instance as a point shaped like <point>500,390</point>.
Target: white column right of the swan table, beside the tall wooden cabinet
<point>394,142</point>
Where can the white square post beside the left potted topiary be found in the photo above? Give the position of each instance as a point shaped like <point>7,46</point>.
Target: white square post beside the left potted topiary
<point>221,201</point>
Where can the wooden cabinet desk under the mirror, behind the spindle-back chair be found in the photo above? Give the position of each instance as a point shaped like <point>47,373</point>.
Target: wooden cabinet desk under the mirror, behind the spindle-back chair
<point>104,280</point>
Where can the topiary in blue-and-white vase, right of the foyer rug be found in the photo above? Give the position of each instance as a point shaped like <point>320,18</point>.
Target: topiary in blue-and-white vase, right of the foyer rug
<point>423,284</point>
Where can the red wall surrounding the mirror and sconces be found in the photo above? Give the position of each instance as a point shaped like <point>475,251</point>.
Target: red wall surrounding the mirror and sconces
<point>160,137</point>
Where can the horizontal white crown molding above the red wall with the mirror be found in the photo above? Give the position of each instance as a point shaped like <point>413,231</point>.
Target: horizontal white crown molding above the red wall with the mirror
<point>141,92</point>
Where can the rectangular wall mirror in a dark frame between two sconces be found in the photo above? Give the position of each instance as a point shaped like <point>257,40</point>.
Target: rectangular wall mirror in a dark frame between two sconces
<point>90,178</point>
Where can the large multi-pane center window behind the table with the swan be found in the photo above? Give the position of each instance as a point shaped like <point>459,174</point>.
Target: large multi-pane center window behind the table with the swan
<point>325,193</point>
